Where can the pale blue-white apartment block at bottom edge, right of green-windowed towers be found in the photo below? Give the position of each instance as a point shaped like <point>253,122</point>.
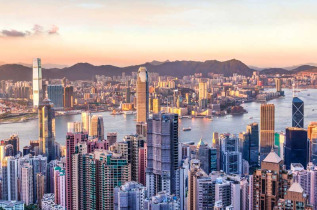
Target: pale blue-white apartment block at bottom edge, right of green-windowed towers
<point>130,196</point>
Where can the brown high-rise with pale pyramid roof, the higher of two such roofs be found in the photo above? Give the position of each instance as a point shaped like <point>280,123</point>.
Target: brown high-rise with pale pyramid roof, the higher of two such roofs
<point>270,183</point>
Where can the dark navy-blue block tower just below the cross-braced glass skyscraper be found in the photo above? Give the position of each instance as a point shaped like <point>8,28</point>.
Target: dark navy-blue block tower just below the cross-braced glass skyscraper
<point>296,147</point>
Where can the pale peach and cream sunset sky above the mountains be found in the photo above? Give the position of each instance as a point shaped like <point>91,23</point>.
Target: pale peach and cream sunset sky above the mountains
<point>262,33</point>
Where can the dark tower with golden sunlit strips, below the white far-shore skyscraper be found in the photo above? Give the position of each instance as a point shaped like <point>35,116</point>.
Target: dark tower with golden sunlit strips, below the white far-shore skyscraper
<point>46,115</point>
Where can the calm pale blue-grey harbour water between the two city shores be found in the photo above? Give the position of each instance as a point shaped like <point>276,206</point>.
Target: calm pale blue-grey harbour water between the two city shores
<point>200,127</point>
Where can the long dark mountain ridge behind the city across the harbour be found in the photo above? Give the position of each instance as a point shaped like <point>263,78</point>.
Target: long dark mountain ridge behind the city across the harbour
<point>84,71</point>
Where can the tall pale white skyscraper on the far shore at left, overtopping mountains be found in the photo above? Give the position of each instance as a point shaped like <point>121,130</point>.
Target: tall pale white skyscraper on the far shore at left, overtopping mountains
<point>37,82</point>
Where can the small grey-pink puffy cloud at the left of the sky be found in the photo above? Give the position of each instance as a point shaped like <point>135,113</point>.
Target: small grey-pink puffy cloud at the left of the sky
<point>36,30</point>
